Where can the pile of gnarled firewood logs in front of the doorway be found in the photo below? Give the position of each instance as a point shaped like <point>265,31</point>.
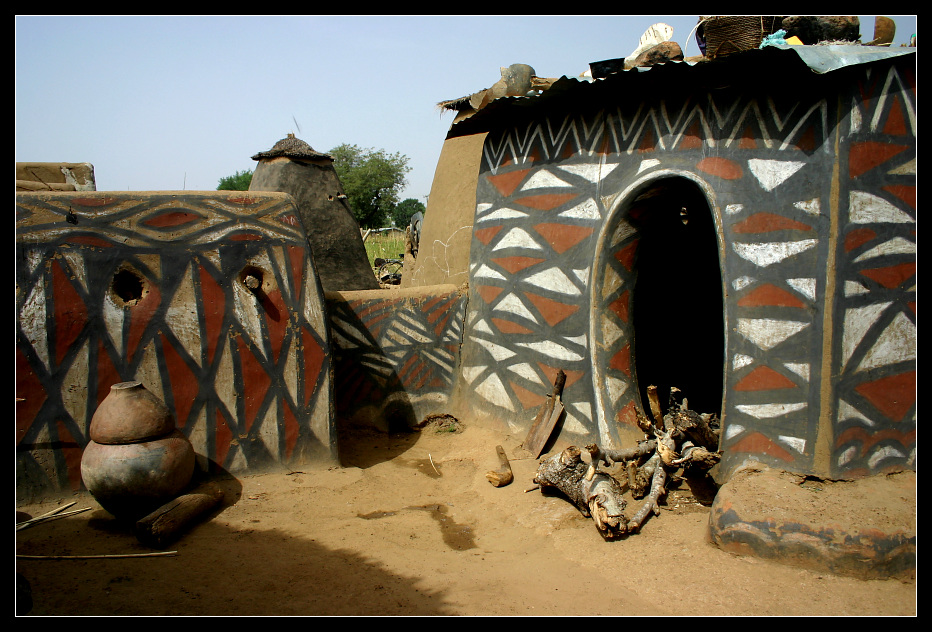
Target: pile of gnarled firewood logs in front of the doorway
<point>680,440</point>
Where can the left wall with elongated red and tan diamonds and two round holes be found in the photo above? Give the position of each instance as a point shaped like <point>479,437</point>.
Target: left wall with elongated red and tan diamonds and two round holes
<point>210,299</point>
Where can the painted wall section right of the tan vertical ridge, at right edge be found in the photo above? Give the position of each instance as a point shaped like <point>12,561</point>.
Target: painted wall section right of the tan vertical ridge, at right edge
<point>875,349</point>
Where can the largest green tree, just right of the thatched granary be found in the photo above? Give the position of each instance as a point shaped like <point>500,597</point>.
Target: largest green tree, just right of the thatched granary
<point>372,181</point>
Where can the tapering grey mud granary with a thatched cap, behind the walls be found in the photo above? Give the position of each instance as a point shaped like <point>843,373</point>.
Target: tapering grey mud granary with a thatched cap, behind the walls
<point>294,167</point>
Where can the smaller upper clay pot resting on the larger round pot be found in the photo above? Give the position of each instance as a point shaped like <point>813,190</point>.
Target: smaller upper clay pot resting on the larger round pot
<point>129,414</point>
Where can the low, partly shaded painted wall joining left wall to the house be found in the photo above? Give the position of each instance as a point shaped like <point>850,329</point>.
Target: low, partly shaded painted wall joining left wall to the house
<point>396,353</point>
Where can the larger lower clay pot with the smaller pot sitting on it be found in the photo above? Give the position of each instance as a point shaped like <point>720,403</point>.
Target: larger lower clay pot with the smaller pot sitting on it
<point>131,480</point>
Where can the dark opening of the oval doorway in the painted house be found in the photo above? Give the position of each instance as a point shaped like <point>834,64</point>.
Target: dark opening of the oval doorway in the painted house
<point>678,308</point>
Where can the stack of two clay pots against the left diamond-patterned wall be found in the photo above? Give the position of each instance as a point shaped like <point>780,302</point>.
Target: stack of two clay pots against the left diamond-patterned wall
<point>136,460</point>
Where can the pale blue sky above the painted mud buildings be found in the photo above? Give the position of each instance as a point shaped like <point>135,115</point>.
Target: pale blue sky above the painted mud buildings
<point>179,102</point>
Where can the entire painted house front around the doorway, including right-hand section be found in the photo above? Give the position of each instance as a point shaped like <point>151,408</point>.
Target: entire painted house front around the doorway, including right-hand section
<point>810,183</point>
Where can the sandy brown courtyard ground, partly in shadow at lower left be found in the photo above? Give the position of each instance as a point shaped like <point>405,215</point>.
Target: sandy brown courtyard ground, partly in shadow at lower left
<point>409,525</point>
